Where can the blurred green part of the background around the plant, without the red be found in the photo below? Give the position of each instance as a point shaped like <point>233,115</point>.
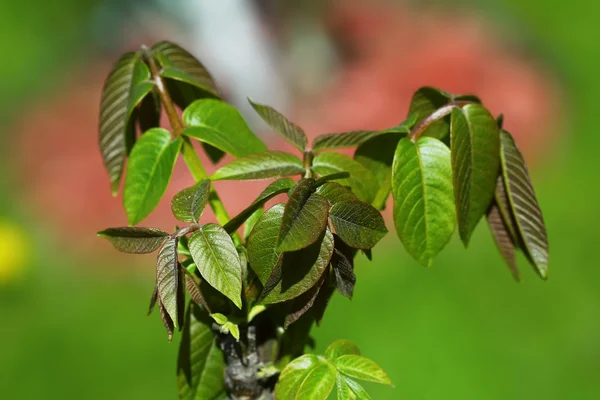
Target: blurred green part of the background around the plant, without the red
<point>73,324</point>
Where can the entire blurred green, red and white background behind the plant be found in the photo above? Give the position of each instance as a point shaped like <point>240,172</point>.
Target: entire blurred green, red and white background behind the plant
<point>73,311</point>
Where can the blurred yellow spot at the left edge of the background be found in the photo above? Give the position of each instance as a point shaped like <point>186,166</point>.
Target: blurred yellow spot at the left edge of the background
<point>12,252</point>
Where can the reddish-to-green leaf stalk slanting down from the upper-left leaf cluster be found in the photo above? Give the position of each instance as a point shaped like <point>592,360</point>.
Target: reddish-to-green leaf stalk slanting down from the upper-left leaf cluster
<point>187,150</point>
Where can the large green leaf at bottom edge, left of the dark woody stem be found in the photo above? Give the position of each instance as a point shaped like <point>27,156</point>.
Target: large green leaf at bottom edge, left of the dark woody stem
<point>200,364</point>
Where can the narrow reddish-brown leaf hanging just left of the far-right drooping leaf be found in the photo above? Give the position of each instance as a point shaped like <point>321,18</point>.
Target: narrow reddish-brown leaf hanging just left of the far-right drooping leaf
<point>502,226</point>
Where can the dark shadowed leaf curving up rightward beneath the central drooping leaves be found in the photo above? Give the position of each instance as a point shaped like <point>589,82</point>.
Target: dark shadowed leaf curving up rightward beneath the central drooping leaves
<point>298,271</point>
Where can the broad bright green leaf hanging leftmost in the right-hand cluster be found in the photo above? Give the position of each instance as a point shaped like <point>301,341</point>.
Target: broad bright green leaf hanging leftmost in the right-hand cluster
<point>424,212</point>
